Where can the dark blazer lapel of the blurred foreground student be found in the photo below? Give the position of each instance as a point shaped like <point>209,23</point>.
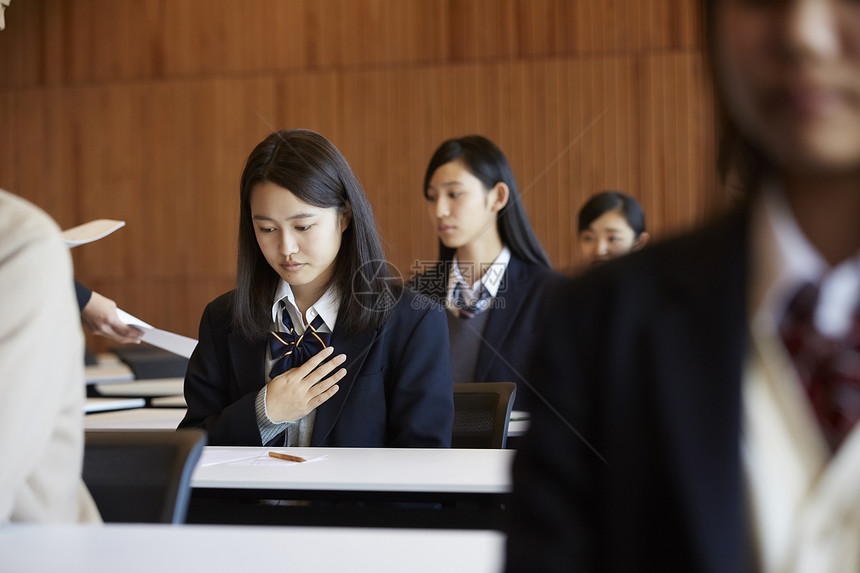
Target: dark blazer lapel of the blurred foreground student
<point>699,349</point>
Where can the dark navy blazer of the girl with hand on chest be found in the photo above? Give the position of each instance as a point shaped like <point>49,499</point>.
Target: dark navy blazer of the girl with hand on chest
<point>397,390</point>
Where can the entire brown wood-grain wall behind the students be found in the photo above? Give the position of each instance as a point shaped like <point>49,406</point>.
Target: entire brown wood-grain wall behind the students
<point>145,110</point>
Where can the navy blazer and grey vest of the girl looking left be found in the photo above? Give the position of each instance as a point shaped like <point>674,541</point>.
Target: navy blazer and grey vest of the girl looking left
<point>508,330</point>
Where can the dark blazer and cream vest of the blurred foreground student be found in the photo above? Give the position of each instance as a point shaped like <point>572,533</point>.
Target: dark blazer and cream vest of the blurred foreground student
<point>668,448</point>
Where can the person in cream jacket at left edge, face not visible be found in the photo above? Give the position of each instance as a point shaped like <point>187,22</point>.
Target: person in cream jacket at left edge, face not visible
<point>41,373</point>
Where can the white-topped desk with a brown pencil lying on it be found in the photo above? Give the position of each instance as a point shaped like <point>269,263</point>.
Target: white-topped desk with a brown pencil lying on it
<point>404,487</point>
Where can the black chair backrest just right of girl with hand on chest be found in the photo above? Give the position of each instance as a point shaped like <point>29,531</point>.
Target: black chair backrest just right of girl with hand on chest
<point>481,414</point>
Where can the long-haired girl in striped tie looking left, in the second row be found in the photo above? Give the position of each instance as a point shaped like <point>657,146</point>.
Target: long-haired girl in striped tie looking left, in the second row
<point>492,269</point>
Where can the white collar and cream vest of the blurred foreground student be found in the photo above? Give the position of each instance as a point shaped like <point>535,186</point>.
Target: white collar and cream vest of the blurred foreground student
<point>804,503</point>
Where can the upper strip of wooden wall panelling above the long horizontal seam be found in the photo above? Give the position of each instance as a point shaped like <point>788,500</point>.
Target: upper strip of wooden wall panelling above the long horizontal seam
<point>85,41</point>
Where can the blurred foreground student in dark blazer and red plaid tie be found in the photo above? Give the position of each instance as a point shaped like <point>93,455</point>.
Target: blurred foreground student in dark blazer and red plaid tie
<point>708,388</point>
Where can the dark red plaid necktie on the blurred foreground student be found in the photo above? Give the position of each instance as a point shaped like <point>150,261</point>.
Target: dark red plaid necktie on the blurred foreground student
<point>829,369</point>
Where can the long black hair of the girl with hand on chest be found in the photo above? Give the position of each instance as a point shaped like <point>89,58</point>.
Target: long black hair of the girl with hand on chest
<point>311,167</point>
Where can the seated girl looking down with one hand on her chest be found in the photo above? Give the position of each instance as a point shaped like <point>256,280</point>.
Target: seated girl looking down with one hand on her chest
<point>316,346</point>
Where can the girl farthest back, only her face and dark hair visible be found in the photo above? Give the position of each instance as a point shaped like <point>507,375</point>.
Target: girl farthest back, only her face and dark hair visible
<point>610,224</point>
